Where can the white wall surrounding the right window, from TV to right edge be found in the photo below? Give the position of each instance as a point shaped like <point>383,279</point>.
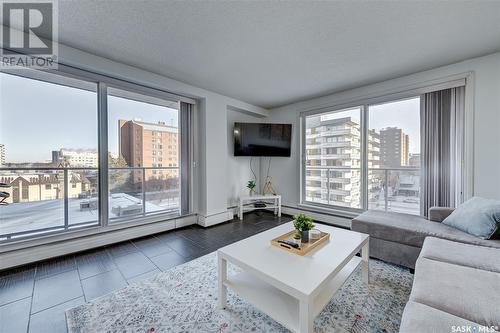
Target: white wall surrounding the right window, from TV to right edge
<point>486,123</point>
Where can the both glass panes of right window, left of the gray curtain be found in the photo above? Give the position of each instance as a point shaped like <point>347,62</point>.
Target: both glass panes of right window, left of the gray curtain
<point>364,157</point>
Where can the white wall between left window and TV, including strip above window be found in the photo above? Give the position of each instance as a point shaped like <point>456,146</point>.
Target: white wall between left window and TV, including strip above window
<point>212,185</point>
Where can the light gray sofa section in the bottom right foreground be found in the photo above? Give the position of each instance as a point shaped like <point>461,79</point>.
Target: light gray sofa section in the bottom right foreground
<point>456,287</point>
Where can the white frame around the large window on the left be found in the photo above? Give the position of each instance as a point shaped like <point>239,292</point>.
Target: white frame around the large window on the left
<point>77,78</point>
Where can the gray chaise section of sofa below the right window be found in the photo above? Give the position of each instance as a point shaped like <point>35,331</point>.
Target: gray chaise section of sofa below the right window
<point>398,238</point>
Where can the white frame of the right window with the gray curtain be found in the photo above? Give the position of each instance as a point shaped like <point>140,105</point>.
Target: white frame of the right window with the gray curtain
<point>363,102</point>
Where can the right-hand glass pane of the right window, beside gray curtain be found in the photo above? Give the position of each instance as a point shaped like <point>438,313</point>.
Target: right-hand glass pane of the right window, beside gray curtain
<point>394,156</point>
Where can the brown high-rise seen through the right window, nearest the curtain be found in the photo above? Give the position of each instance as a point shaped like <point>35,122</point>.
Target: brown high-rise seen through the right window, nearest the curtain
<point>394,147</point>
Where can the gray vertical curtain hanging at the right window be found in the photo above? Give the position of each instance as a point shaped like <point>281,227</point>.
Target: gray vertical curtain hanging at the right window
<point>442,133</point>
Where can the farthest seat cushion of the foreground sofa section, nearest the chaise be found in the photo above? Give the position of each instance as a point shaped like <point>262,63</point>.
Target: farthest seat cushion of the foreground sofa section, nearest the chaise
<point>480,257</point>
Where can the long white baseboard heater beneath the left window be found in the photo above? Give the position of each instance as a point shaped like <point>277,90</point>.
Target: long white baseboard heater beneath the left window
<point>49,250</point>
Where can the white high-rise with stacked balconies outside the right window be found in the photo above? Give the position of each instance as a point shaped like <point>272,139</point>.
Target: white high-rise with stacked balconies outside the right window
<point>336,143</point>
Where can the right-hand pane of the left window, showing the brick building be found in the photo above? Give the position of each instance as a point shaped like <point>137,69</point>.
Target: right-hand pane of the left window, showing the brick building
<point>144,157</point>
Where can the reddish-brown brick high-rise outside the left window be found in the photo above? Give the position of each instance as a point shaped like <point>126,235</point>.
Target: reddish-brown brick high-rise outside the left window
<point>143,144</point>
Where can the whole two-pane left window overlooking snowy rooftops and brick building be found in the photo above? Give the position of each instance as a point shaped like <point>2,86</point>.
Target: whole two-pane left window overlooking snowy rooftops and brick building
<point>52,144</point>
